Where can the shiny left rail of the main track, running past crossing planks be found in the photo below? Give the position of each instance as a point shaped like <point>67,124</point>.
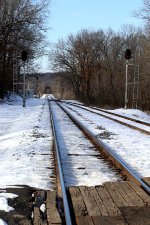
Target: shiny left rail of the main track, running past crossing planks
<point>64,194</point>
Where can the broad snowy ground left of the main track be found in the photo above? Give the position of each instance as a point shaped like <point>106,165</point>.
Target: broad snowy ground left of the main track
<point>25,144</point>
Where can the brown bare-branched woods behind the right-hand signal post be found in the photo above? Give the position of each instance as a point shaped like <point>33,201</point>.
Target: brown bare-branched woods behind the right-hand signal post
<point>95,63</point>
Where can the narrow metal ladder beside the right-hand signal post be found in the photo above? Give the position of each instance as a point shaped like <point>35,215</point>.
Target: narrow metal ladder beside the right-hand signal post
<point>135,86</point>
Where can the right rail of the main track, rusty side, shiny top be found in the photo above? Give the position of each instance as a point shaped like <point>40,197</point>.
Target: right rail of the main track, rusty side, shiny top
<point>109,152</point>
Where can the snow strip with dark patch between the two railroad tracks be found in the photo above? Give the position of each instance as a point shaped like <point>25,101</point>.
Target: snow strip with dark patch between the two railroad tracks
<point>132,147</point>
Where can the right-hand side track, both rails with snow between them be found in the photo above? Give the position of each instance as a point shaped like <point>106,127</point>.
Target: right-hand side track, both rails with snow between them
<point>135,124</point>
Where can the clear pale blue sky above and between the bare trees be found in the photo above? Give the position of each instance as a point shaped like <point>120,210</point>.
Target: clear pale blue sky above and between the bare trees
<point>70,16</point>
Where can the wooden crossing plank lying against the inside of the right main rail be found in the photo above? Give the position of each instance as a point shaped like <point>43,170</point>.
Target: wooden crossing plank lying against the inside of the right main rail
<point>141,193</point>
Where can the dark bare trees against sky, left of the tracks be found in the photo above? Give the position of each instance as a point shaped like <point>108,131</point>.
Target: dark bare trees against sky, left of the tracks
<point>22,26</point>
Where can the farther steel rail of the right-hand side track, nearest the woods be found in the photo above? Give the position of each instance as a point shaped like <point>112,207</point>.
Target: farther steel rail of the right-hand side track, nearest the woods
<point>111,113</point>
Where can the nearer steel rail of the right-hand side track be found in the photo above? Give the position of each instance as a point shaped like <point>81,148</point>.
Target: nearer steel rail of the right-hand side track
<point>116,120</point>
